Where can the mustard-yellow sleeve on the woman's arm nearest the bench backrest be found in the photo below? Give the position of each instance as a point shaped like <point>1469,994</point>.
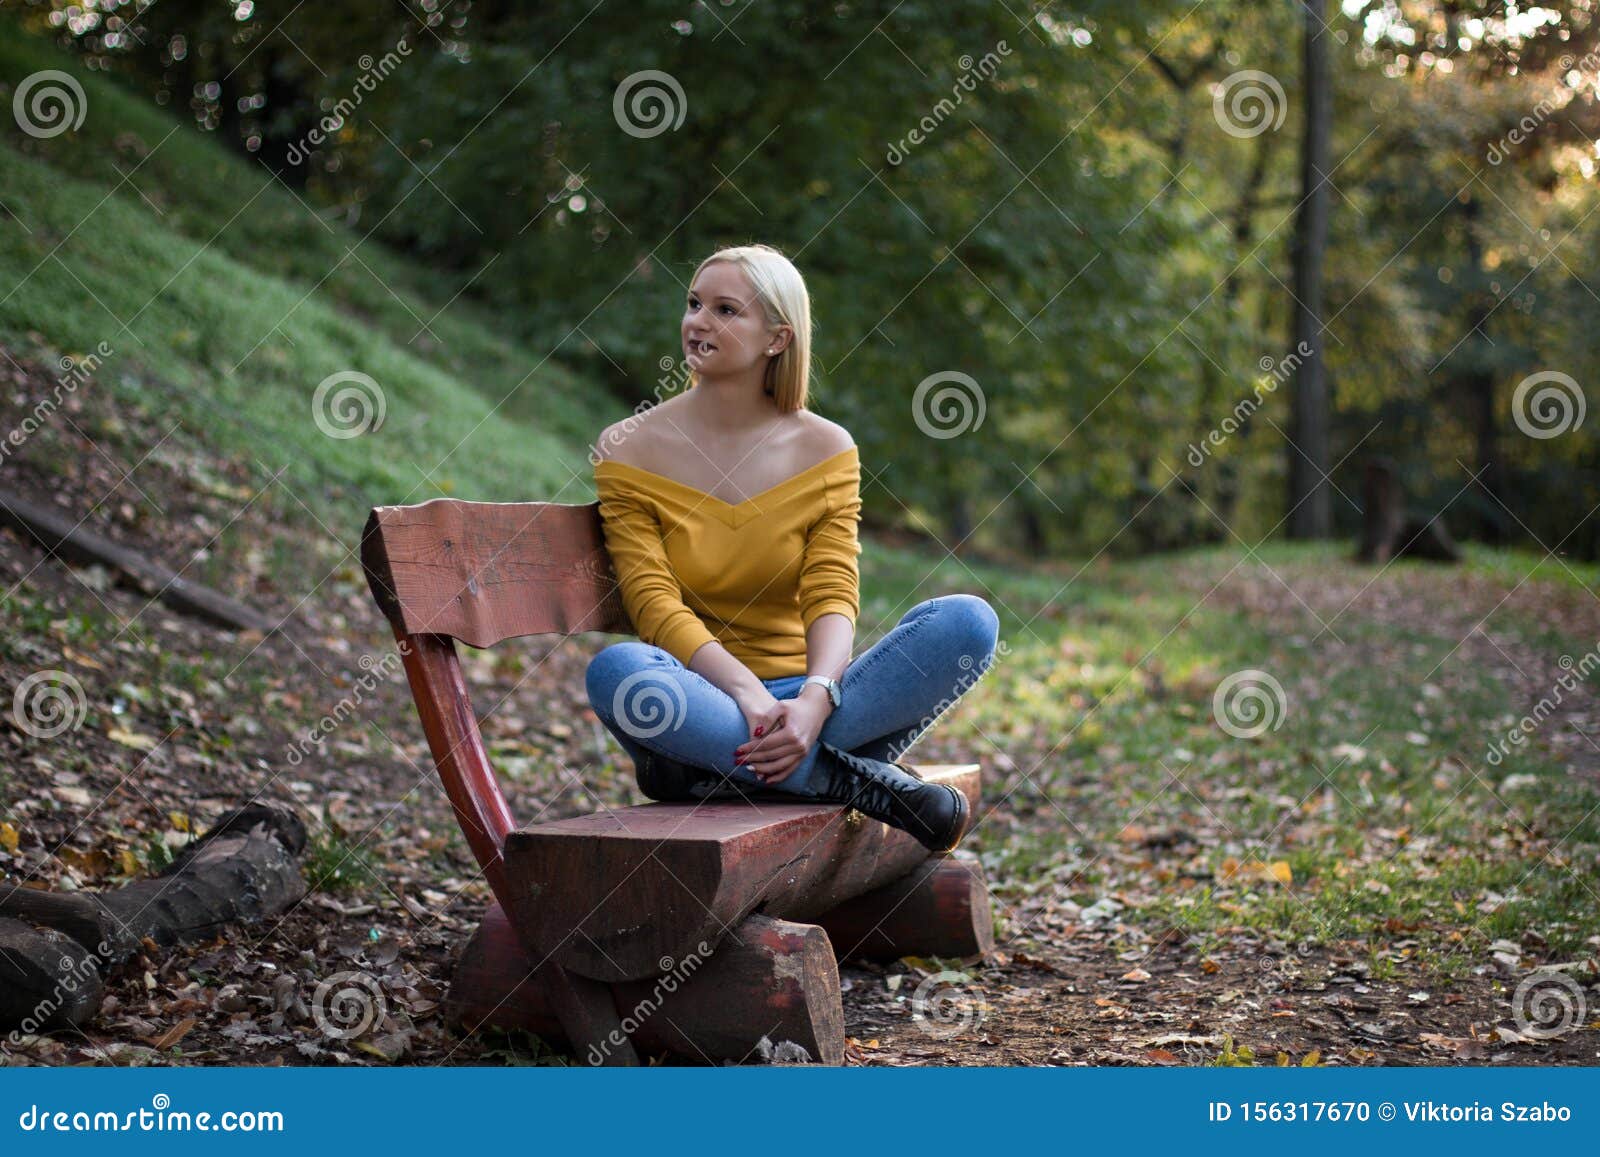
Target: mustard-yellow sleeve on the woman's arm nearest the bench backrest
<point>652,595</point>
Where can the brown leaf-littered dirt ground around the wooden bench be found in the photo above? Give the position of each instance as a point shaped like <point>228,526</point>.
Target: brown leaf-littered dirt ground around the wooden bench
<point>188,721</point>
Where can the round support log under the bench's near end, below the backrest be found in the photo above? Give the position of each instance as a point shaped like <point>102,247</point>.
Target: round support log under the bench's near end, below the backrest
<point>769,977</point>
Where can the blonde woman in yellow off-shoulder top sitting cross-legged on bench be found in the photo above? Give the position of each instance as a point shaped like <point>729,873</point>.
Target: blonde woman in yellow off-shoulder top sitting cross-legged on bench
<point>732,518</point>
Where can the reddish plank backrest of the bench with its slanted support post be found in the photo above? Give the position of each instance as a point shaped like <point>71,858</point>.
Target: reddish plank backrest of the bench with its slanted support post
<point>482,574</point>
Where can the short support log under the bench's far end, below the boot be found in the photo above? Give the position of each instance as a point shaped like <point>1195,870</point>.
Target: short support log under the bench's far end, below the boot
<point>940,910</point>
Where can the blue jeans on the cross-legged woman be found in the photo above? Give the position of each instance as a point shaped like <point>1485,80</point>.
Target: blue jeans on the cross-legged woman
<point>892,694</point>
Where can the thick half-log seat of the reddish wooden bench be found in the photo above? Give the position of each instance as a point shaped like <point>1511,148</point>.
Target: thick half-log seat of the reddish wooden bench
<point>612,894</point>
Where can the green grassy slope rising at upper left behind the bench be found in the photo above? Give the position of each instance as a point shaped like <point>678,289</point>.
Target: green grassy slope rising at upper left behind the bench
<point>228,300</point>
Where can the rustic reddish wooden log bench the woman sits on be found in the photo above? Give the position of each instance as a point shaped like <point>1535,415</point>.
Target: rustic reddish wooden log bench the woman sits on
<point>694,929</point>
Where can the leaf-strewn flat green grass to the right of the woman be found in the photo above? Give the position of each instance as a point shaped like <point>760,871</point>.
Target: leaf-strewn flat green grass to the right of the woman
<point>1106,710</point>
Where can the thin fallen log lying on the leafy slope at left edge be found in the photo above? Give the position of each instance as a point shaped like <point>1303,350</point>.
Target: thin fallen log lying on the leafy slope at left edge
<point>60,535</point>
